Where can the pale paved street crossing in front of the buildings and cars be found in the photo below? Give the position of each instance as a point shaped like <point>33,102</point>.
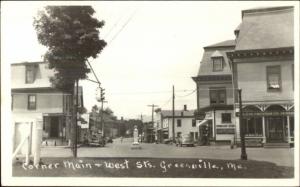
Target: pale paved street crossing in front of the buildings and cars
<point>279,156</point>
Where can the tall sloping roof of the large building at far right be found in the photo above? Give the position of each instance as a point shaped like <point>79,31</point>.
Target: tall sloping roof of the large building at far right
<point>264,28</point>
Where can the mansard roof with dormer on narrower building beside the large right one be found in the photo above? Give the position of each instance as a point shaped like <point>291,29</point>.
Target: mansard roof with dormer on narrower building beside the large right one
<point>206,65</point>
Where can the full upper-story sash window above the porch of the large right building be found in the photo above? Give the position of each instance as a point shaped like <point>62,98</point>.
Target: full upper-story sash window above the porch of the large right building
<point>273,78</point>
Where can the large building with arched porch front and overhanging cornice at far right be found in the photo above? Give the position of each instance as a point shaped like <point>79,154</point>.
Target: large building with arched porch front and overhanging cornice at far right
<point>263,67</point>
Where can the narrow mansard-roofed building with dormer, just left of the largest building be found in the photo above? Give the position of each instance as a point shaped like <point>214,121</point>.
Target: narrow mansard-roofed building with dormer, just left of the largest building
<point>215,94</point>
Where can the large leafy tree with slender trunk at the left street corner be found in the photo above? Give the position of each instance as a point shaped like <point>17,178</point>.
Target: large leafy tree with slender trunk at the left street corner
<point>71,36</point>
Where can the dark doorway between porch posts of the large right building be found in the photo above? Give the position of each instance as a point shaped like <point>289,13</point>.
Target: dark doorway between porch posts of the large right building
<point>275,129</point>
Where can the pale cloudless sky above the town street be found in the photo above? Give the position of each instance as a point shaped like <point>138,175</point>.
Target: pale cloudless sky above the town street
<point>151,47</point>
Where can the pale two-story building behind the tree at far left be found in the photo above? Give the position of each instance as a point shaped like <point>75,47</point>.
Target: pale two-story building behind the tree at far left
<point>33,98</point>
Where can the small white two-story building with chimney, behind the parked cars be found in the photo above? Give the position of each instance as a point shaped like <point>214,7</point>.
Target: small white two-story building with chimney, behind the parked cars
<point>184,124</point>
